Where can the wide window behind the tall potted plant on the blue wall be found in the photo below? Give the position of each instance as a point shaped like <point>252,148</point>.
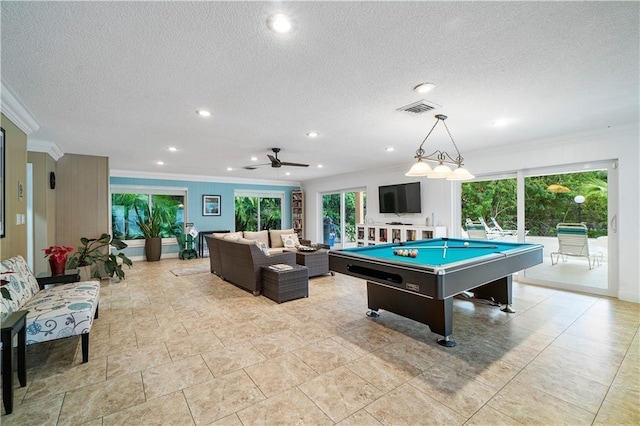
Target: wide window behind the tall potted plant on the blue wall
<point>125,200</point>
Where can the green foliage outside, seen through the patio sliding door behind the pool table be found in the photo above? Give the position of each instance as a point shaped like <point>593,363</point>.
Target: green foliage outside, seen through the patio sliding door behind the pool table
<point>544,207</point>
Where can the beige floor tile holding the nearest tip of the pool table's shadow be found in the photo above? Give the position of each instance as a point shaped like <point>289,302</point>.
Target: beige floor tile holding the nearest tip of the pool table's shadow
<point>457,391</point>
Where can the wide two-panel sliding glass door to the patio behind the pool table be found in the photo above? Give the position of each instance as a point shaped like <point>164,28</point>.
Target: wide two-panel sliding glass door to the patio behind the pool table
<point>529,207</point>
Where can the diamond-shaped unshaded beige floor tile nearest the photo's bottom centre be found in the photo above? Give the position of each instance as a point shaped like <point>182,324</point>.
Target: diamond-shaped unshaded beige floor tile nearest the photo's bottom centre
<point>340,393</point>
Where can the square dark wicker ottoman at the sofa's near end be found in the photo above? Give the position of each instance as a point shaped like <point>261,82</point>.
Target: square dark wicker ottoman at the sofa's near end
<point>282,286</point>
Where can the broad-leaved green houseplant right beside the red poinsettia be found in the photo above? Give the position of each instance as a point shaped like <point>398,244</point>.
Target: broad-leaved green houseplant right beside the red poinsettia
<point>93,254</point>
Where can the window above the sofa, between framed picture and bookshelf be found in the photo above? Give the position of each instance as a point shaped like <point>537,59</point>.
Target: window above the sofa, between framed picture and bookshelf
<point>255,211</point>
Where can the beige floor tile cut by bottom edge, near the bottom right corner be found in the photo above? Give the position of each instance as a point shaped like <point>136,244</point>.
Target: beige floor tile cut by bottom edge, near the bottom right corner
<point>531,406</point>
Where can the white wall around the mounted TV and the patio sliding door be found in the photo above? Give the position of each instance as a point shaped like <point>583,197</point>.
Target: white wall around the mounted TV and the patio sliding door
<point>441,197</point>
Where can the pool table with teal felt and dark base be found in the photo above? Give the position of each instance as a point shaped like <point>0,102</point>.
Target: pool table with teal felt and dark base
<point>422,287</point>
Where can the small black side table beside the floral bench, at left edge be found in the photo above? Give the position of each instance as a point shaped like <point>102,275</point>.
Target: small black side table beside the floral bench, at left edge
<point>14,323</point>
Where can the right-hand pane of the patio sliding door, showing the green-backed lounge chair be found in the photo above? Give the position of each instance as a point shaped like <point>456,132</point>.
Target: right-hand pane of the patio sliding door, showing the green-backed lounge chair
<point>576,200</point>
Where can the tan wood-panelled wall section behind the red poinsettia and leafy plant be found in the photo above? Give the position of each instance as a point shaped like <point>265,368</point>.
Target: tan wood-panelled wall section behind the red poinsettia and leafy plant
<point>82,198</point>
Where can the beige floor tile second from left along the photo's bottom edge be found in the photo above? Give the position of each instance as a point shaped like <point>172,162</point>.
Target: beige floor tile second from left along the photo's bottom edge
<point>89,403</point>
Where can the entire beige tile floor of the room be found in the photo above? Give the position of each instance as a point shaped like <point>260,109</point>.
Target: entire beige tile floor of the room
<point>194,349</point>
